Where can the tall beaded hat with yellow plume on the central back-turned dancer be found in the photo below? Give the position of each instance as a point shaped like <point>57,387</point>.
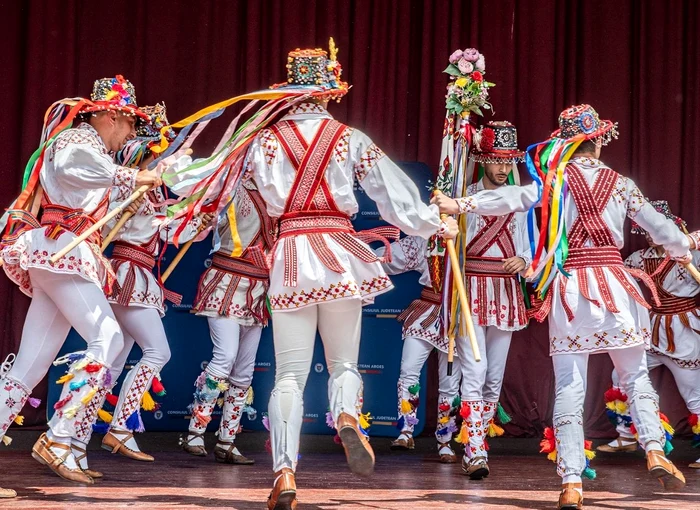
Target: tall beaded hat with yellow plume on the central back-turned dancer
<point>313,68</point>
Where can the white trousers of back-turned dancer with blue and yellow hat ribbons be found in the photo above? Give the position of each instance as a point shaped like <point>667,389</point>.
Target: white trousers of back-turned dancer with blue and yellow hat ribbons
<point>570,371</point>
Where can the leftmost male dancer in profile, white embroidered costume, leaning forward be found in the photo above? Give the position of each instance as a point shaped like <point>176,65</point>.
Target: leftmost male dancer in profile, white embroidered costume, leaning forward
<point>76,176</point>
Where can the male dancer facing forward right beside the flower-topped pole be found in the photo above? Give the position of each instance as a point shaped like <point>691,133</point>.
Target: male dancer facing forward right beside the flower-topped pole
<point>498,249</point>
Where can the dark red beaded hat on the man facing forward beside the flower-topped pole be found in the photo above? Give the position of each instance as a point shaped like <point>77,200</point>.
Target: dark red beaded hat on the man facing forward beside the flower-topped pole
<point>497,142</point>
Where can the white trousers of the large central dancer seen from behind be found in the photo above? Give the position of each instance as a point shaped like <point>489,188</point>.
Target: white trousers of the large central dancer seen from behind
<point>339,324</point>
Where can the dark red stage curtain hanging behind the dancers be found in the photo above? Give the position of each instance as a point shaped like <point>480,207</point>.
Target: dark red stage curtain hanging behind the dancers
<point>636,62</point>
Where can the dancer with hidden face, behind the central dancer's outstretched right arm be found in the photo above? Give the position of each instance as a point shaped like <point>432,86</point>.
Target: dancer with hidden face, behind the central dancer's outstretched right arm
<point>422,332</point>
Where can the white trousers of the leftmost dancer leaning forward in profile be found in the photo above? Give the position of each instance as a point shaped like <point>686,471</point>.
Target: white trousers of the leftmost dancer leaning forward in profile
<point>59,302</point>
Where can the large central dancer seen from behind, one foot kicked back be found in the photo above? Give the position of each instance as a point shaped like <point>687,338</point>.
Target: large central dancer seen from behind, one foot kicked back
<point>305,166</point>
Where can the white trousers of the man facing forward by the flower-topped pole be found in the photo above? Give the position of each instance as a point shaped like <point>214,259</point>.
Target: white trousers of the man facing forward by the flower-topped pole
<point>483,380</point>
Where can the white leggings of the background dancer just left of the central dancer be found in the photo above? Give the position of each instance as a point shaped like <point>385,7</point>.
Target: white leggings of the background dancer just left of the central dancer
<point>234,350</point>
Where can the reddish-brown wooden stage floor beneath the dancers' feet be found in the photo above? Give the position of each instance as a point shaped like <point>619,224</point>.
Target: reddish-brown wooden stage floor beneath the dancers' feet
<point>520,478</point>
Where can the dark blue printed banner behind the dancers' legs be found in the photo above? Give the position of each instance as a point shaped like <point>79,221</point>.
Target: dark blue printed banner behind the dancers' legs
<point>188,335</point>
